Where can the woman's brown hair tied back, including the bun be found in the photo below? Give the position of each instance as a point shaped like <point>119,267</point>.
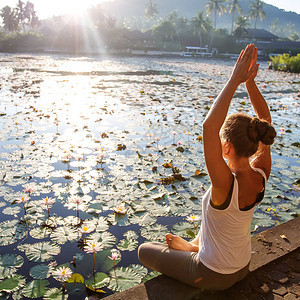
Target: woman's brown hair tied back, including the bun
<point>244,133</point>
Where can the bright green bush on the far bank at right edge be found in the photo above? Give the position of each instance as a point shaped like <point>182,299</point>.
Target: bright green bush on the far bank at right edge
<point>286,63</point>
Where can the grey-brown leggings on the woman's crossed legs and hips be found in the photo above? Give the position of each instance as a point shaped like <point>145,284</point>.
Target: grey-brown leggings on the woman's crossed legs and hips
<point>185,266</point>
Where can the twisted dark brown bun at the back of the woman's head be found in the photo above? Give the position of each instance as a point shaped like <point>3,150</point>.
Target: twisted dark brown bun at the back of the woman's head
<point>260,130</point>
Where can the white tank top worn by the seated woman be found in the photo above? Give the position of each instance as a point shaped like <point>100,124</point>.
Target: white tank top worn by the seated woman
<point>224,236</point>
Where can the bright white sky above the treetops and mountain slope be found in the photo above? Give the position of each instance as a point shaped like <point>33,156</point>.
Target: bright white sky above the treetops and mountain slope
<point>48,8</point>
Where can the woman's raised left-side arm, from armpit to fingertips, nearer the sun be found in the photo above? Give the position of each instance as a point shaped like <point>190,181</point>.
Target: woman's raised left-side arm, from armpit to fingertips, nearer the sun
<point>218,170</point>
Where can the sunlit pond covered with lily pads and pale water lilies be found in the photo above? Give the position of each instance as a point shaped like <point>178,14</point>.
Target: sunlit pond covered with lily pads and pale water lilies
<point>98,155</point>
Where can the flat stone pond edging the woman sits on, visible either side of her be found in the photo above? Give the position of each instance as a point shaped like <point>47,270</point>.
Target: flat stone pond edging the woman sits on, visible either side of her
<point>267,247</point>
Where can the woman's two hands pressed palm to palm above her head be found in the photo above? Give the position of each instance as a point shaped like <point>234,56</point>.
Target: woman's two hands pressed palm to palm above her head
<point>245,67</point>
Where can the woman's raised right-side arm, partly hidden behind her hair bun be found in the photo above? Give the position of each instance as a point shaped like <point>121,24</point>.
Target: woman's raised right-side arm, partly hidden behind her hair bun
<point>262,159</point>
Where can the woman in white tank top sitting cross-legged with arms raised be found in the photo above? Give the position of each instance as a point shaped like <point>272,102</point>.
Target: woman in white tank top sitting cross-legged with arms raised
<point>220,254</point>
